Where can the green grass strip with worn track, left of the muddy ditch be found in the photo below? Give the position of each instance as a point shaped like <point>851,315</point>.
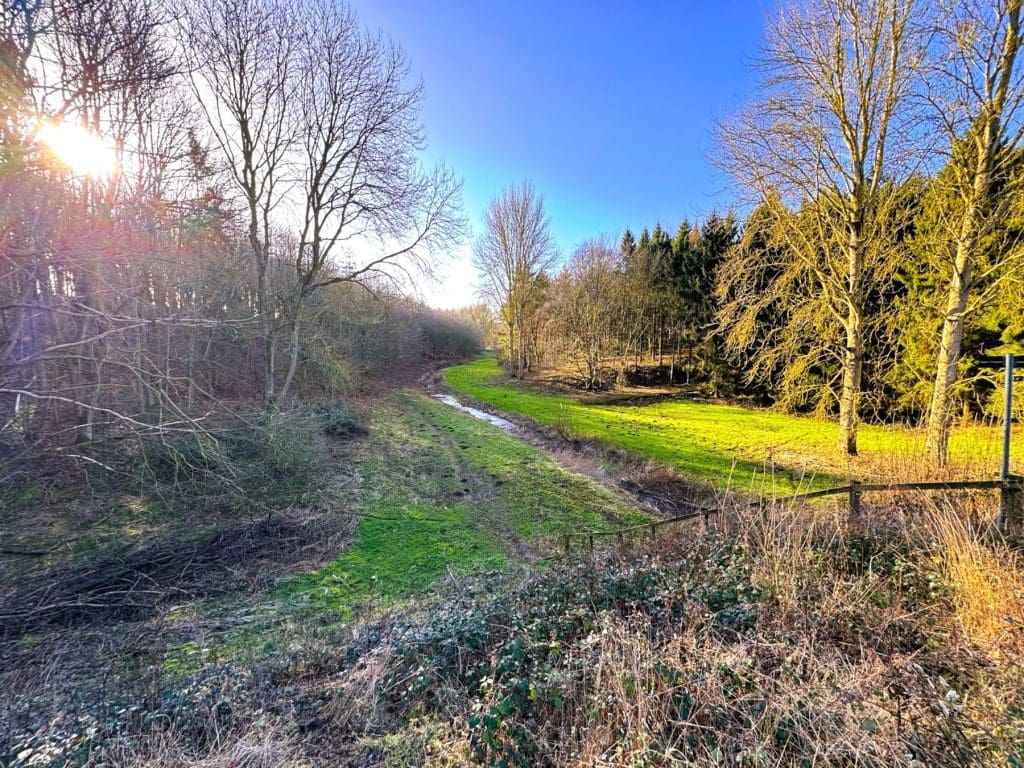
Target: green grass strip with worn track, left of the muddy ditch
<point>446,493</point>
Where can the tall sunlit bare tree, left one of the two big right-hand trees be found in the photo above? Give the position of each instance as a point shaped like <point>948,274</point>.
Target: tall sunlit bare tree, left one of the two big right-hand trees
<point>832,129</point>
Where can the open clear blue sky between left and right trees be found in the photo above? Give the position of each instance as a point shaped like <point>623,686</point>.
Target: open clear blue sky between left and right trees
<point>608,108</point>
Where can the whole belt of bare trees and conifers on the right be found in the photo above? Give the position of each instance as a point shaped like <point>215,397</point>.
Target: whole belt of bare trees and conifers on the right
<point>881,159</point>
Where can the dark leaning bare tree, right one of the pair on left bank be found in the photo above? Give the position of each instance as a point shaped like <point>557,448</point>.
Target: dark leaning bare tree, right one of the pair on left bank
<point>360,182</point>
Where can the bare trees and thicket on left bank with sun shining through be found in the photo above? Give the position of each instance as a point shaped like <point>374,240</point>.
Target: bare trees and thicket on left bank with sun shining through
<point>186,192</point>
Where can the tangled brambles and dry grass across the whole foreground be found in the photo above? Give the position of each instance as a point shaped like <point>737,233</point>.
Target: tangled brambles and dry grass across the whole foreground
<point>785,639</point>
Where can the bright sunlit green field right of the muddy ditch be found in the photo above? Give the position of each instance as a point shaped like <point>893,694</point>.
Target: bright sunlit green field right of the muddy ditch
<point>733,446</point>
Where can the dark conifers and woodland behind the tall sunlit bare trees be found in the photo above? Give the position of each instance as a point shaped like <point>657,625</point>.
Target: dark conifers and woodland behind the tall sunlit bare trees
<point>691,310</point>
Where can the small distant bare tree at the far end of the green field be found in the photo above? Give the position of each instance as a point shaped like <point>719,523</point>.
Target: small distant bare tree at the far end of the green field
<point>514,252</point>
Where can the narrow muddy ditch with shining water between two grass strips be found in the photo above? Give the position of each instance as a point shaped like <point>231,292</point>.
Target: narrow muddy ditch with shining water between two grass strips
<point>651,488</point>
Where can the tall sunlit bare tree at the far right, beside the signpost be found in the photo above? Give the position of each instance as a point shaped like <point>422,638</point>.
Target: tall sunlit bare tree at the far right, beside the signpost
<point>977,93</point>
